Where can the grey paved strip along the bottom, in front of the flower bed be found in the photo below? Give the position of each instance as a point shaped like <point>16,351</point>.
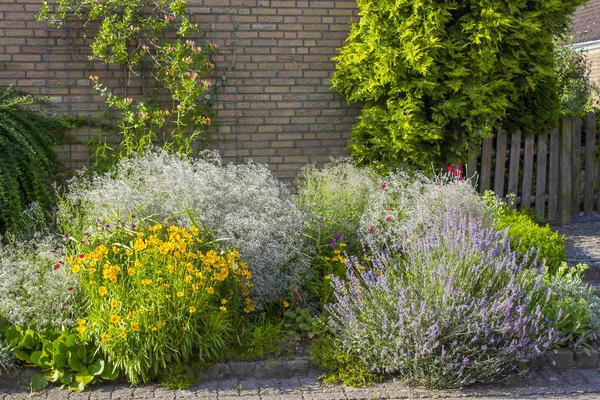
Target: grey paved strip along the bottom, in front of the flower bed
<point>580,384</point>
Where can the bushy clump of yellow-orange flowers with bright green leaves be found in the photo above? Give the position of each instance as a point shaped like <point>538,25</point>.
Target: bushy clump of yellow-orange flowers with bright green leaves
<point>159,295</point>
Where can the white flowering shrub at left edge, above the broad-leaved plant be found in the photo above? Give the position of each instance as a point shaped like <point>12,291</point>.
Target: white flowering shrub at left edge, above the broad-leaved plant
<point>36,288</point>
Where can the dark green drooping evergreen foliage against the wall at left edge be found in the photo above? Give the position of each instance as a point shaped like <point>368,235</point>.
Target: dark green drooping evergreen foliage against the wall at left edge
<point>27,160</point>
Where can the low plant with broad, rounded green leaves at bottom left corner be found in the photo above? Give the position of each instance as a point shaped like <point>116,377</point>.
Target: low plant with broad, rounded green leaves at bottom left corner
<point>63,357</point>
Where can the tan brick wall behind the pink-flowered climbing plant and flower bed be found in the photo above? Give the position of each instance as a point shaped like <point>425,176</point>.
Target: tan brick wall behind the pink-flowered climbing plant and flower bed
<point>276,108</point>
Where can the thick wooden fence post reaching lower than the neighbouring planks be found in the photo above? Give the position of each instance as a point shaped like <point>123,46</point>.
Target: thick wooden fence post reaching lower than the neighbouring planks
<point>564,173</point>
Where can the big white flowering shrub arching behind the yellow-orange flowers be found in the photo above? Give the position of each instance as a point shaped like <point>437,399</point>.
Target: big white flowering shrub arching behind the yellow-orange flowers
<point>242,203</point>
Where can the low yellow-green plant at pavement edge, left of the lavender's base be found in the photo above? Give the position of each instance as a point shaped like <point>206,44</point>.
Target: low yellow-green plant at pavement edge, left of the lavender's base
<point>340,366</point>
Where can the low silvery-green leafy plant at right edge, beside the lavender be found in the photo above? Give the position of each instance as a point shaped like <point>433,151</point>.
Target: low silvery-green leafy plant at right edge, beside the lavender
<point>574,308</point>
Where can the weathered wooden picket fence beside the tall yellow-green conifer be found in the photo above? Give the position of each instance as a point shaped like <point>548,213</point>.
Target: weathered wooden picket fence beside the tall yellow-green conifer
<point>557,173</point>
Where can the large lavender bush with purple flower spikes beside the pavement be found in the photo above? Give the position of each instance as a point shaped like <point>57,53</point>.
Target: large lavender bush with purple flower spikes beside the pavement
<point>457,309</point>
